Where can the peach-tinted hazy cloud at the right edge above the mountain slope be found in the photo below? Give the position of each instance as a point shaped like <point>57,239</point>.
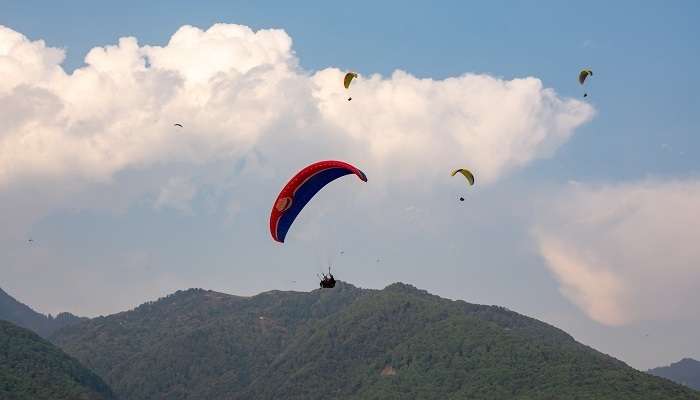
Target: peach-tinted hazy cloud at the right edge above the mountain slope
<point>626,253</point>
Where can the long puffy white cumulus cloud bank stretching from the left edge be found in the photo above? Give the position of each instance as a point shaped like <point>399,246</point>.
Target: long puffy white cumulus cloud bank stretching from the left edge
<point>236,90</point>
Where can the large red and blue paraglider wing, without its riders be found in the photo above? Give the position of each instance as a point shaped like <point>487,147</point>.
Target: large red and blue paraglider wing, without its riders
<point>301,189</point>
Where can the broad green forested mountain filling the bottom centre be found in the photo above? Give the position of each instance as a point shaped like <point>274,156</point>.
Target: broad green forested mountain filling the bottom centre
<point>345,343</point>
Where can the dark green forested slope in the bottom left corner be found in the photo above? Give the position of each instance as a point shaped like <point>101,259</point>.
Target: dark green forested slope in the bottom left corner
<point>33,369</point>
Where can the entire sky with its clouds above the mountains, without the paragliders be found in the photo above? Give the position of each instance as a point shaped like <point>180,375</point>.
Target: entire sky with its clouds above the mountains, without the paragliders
<point>585,213</point>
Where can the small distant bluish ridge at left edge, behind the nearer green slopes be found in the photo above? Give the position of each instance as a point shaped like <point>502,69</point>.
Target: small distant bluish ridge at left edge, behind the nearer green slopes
<point>22,315</point>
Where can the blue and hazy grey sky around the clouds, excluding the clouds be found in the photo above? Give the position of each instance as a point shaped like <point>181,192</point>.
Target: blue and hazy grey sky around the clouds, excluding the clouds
<point>645,127</point>
